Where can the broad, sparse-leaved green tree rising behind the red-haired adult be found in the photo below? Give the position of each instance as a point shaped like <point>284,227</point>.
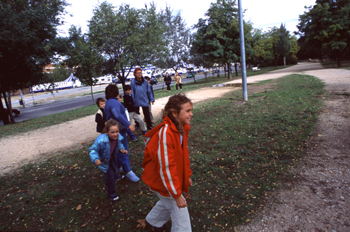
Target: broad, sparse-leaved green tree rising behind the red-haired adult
<point>126,37</point>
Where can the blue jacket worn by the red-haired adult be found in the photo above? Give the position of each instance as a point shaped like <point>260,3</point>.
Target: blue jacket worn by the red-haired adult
<point>141,93</point>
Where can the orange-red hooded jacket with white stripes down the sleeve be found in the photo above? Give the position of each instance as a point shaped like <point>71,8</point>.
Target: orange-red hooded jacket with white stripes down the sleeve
<point>166,163</point>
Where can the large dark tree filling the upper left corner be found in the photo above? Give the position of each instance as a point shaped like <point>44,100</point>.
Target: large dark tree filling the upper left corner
<point>28,27</point>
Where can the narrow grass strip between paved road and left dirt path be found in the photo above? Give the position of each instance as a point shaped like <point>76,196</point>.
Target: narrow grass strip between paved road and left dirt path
<point>54,119</point>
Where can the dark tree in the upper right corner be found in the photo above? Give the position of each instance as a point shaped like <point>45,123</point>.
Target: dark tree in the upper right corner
<point>324,30</point>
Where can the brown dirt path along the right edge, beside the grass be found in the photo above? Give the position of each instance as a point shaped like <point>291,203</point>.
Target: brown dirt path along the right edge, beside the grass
<point>318,198</point>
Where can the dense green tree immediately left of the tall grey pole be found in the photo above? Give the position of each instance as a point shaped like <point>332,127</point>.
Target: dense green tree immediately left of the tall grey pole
<point>217,36</point>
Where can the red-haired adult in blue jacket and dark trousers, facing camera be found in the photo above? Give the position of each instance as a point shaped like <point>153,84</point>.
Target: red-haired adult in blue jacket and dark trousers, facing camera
<point>142,95</point>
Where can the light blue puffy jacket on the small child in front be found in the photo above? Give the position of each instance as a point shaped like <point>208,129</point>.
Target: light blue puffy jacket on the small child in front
<point>101,150</point>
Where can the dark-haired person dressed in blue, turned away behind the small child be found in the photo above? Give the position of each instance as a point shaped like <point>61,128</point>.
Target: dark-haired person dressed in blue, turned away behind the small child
<point>115,110</point>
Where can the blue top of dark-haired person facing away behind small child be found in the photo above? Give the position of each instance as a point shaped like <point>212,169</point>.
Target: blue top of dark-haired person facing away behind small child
<point>115,110</point>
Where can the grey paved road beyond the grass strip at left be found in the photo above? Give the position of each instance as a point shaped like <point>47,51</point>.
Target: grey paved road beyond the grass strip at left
<point>62,105</point>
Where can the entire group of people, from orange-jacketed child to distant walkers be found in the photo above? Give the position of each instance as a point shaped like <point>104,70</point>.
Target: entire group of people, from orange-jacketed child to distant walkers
<point>166,165</point>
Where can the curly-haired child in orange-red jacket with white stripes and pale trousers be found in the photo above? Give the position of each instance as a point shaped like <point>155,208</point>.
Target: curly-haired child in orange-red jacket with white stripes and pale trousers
<point>167,167</point>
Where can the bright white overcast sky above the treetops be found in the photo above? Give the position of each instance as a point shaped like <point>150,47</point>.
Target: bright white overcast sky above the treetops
<point>262,13</point>
